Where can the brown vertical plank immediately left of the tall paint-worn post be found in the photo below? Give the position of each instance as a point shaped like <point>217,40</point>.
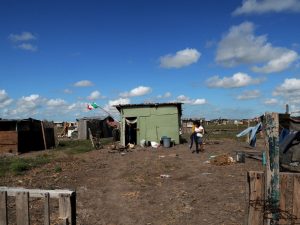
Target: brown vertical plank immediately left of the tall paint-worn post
<point>256,196</point>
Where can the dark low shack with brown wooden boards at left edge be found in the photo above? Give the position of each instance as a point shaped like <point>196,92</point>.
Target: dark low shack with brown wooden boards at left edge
<point>19,136</point>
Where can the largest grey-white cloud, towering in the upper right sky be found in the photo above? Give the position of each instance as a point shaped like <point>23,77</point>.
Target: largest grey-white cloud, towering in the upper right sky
<point>241,46</point>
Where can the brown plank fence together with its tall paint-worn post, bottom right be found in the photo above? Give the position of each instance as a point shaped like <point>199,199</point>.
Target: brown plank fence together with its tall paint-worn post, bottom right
<point>274,196</point>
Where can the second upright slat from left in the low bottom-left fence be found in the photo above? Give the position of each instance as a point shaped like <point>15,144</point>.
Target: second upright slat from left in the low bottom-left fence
<point>22,208</point>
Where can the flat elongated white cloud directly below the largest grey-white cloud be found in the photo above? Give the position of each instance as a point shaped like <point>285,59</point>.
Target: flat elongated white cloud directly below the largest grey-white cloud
<point>235,81</point>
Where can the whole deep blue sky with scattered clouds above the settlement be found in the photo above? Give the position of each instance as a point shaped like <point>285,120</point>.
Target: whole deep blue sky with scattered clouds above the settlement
<point>229,59</point>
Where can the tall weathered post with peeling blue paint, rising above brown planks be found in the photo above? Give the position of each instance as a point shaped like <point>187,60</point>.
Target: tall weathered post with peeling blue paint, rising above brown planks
<point>271,126</point>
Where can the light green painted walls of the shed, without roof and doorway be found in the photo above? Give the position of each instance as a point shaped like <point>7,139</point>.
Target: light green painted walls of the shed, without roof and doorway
<point>153,122</point>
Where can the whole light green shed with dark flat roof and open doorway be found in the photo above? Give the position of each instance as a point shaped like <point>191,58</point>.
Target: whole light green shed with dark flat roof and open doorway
<point>150,122</point>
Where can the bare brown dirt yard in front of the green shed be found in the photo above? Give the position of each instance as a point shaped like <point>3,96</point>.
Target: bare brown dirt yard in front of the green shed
<point>125,189</point>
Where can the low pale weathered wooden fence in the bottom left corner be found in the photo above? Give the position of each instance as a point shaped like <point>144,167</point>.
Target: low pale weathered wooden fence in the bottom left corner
<point>66,201</point>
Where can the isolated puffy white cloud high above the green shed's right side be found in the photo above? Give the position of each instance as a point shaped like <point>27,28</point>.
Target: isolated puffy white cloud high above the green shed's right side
<point>182,58</point>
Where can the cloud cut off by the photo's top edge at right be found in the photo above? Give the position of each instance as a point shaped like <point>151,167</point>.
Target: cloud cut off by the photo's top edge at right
<point>265,6</point>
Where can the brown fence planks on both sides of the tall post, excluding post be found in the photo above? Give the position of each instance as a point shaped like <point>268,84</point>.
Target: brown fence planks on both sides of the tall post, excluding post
<point>261,209</point>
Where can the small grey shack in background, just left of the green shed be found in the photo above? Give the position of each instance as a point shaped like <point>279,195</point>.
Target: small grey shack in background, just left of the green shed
<point>99,127</point>
